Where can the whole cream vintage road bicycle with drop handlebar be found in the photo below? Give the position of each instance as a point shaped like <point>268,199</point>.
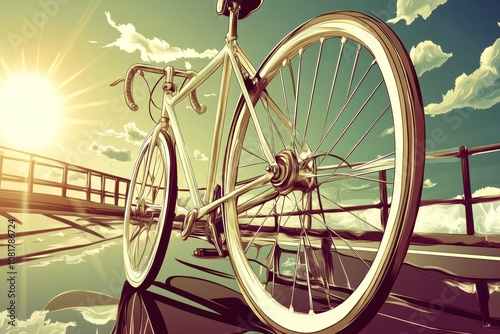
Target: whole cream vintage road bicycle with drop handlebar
<point>291,169</point>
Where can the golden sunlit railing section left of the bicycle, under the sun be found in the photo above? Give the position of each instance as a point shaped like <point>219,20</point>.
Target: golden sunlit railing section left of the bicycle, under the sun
<point>35,174</point>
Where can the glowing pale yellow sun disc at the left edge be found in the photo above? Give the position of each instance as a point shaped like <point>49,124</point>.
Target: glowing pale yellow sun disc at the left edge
<point>30,112</point>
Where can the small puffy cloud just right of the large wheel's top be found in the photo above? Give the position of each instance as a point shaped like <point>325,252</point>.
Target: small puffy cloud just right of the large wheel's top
<point>427,56</point>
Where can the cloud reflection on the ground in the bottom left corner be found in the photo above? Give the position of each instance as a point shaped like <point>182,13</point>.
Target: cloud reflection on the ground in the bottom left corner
<point>35,324</point>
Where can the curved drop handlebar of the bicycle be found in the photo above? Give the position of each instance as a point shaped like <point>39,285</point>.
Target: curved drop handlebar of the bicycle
<point>132,71</point>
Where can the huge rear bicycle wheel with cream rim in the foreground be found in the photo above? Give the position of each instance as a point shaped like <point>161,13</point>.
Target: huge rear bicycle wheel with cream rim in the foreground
<point>319,247</point>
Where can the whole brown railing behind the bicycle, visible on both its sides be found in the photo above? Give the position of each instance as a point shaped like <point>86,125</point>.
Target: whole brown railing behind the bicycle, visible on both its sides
<point>31,173</point>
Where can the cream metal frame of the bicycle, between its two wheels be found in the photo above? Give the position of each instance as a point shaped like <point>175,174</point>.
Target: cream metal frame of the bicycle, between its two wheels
<point>230,57</point>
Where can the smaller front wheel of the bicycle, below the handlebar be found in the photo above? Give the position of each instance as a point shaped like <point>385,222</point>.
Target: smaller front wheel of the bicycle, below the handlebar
<point>149,211</point>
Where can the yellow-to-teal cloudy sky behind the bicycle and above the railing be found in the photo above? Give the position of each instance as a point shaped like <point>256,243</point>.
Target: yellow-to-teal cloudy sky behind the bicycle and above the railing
<point>79,47</point>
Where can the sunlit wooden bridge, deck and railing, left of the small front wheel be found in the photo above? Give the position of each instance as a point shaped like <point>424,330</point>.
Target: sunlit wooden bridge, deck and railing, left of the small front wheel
<point>30,182</point>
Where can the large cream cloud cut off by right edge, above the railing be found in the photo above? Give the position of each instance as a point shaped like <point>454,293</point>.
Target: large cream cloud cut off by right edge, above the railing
<point>478,90</point>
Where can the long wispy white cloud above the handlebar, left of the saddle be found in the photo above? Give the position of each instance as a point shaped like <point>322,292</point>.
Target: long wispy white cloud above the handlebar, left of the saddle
<point>151,49</point>
